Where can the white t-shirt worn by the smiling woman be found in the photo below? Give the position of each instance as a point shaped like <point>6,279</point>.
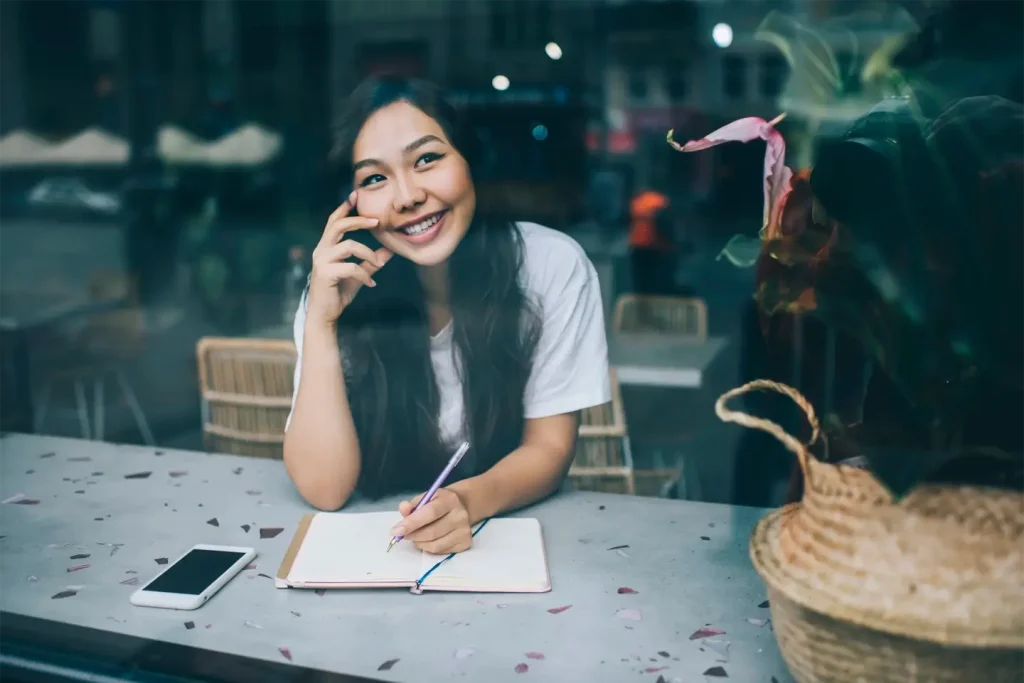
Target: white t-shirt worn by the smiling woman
<point>571,364</point>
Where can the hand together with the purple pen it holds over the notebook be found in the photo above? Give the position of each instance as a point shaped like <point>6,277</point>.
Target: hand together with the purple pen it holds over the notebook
<point>441,528</point>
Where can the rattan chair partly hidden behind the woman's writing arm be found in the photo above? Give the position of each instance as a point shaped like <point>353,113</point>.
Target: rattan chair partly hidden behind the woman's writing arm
<point>604,461</point>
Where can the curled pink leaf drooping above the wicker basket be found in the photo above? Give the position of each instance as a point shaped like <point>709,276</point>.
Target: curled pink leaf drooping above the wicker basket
<point>778,178</point>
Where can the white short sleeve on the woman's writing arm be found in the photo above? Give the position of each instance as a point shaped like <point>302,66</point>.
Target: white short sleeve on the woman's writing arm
<point>571,365</point>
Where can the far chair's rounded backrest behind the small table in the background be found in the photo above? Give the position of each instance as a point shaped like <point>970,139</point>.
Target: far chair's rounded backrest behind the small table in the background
<point>679,316</point>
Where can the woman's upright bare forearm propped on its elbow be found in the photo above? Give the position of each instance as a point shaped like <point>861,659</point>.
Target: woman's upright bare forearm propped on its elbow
<point>322,452</point>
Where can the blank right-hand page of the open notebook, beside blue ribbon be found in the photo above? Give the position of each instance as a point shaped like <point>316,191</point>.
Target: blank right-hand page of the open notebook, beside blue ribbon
<point>507,557</point>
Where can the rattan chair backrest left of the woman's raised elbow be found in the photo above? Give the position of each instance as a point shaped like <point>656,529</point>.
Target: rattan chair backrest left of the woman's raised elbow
<point>246,387</point>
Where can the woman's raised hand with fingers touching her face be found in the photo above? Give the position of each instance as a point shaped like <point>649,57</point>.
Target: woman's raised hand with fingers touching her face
<point>334,281</point>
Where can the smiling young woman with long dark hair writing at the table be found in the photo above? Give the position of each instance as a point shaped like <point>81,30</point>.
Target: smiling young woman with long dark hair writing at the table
<point>453,325</point>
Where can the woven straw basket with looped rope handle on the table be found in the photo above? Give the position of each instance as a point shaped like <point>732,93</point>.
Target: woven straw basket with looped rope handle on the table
<point>863,588</point>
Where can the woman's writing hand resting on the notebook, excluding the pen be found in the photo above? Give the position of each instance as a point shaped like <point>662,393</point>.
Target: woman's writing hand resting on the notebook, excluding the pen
<point>441,527</point>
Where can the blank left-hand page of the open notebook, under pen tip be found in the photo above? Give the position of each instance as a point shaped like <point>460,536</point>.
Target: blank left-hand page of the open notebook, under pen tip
<point>347,548</point>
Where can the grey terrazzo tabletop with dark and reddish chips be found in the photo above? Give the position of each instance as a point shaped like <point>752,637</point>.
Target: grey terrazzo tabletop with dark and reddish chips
<point>687,562</point>
